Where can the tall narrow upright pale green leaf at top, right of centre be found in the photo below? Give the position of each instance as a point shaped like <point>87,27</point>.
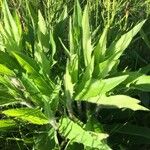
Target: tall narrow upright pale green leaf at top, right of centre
<point>86,37</point>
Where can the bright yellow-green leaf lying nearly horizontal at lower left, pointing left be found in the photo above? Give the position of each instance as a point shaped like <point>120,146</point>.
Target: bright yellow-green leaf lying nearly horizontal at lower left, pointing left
<point>34,116</point>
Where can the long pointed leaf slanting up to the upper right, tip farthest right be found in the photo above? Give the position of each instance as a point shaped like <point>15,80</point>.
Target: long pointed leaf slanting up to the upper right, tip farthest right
<point>115,50</point>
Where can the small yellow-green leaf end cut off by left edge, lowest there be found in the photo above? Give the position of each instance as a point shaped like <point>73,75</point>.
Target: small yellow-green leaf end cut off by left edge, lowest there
<point>6,124</point>
